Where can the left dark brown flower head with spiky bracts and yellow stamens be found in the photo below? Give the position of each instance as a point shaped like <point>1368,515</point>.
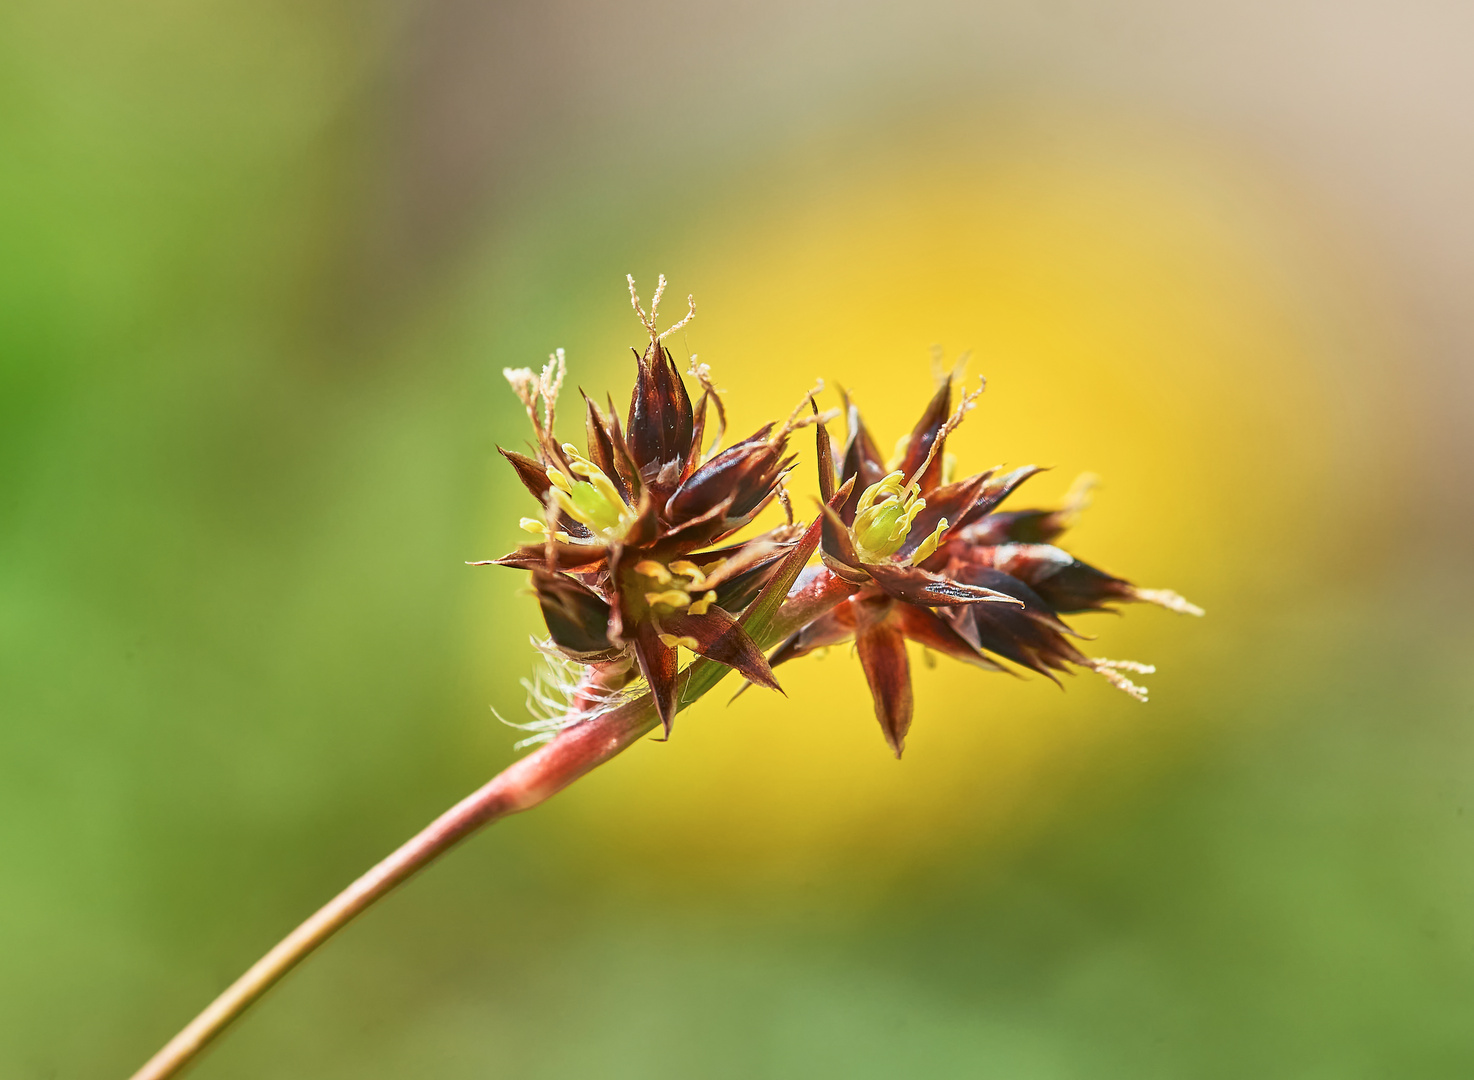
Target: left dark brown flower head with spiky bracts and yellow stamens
<point>624,565</point>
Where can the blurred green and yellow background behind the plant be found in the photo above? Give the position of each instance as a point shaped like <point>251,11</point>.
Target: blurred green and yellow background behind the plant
<point>260,269</point>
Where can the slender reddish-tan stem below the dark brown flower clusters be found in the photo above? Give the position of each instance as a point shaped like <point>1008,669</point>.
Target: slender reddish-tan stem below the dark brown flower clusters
<point>521,786</point>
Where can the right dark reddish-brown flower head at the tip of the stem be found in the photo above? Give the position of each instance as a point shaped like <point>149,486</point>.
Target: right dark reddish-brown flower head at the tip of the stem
<point>923,559</point>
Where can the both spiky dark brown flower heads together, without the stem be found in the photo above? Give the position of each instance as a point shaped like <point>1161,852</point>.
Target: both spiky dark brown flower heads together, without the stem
<point>636,556</point>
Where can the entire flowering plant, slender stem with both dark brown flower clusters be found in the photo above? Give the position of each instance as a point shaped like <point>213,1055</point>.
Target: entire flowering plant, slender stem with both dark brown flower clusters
<point>639,556</point>
